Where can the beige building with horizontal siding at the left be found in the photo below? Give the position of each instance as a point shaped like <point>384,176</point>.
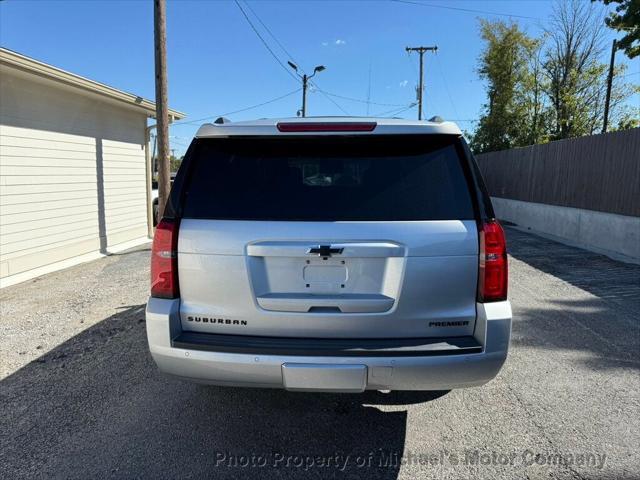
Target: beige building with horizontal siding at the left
<point>74,176</point>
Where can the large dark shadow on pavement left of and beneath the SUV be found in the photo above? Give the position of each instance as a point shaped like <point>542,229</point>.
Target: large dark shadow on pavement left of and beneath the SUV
<point>97,407</point>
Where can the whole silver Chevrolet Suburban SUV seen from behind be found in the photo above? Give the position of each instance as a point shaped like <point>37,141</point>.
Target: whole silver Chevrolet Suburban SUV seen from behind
<point>329,254</point>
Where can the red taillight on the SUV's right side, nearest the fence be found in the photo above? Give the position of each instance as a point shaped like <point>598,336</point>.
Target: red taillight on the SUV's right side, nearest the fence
<point>493,274</point>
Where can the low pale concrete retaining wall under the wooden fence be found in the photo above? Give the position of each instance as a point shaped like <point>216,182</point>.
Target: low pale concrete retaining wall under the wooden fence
<point>608,233</point>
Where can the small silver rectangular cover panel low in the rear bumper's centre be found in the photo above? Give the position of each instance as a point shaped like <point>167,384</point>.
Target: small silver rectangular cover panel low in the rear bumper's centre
<point>307,377</point>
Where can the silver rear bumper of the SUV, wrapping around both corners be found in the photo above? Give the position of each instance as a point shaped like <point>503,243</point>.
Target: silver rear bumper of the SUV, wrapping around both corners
<point>331,373</point>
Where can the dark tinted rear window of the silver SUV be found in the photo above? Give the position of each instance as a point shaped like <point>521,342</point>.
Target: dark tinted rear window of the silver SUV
<point>330,178</point>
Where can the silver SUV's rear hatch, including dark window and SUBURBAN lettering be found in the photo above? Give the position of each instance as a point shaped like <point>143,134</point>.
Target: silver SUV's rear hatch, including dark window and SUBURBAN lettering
<point>341,236</point>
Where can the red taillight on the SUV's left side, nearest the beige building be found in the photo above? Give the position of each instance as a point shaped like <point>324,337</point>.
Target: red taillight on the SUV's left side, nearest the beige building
<point>164,260</point>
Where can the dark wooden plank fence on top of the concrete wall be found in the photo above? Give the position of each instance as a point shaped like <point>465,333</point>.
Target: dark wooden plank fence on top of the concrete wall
<point>599,172</point>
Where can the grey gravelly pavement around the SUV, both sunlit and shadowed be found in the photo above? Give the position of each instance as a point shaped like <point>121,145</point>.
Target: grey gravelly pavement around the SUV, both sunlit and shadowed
<point>81,398</point>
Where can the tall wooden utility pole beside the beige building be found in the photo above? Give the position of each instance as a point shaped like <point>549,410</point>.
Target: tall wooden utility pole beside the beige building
<point>162,110</point>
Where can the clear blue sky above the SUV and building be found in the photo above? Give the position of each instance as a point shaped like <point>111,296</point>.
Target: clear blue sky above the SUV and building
<point>217,64</point>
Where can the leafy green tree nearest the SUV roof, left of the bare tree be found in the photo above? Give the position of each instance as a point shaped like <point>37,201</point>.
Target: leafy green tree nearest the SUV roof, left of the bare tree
<point>504,65</point>
